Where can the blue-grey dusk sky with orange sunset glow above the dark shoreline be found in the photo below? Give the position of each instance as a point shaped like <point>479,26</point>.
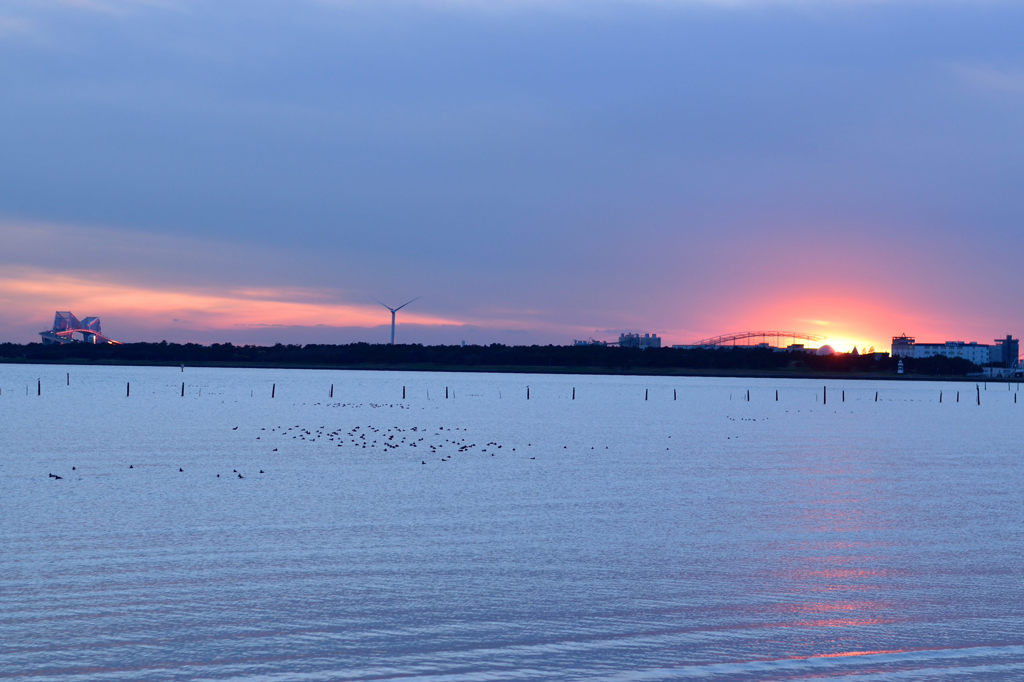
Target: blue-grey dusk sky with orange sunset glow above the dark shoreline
<point>536,172</point>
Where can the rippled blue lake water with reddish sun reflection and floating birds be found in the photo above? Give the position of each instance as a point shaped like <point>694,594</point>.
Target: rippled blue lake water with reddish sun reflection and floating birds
<point>488,537</point>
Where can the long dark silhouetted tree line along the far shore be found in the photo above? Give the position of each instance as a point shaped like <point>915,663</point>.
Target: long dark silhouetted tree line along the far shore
<point>492,358</point>
